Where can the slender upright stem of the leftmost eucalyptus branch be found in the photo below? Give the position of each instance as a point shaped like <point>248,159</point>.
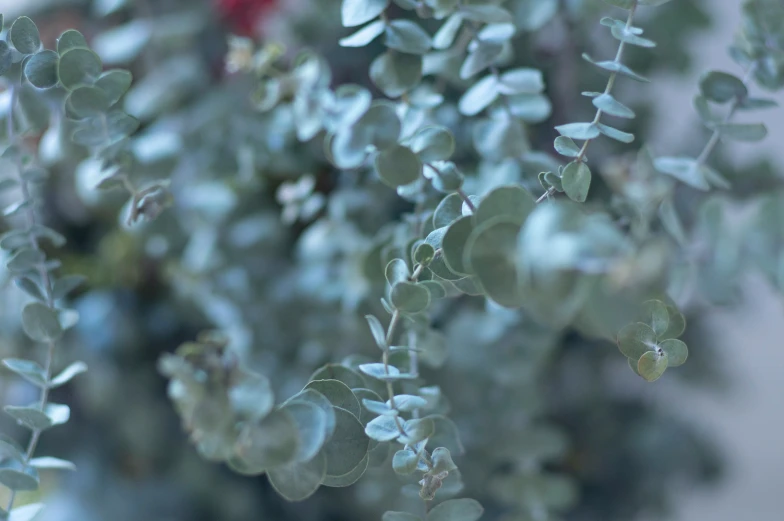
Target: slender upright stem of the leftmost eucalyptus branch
<point>45,281</point>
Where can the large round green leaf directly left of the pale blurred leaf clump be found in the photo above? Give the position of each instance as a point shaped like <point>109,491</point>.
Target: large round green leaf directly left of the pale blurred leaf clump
<point>490,253</point>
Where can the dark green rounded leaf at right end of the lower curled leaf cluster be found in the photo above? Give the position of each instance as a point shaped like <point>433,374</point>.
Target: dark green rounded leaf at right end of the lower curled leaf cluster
<point>347,446</point>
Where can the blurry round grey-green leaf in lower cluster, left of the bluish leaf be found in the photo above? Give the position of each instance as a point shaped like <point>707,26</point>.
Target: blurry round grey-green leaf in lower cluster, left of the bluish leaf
<point>269,443</point>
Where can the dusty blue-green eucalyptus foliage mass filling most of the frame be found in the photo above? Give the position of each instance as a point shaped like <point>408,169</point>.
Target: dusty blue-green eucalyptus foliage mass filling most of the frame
<point>415,328</point>
